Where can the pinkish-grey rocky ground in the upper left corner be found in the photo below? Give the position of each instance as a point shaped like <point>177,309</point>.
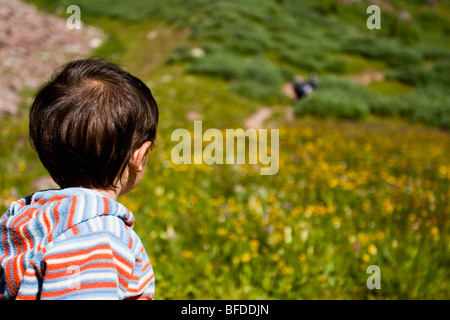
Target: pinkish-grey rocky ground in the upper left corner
<point>32,45</point>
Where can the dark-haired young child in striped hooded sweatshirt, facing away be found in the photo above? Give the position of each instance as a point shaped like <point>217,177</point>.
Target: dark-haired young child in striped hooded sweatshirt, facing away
<point>92,126</point>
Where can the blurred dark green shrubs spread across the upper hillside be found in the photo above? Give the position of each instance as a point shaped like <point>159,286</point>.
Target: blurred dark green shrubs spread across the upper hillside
<point>255,45</point>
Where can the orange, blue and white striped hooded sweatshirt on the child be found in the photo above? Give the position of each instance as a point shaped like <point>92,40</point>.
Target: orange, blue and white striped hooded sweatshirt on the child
<point>72,243</point>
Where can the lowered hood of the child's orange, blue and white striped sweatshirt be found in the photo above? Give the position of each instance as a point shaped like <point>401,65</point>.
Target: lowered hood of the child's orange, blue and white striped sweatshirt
<point>31,223</point>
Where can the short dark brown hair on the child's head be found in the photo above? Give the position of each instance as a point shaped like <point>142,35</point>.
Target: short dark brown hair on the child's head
<point>88,120</point>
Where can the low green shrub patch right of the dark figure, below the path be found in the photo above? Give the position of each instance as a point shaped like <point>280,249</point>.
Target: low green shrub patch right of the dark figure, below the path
<point>344,99</point>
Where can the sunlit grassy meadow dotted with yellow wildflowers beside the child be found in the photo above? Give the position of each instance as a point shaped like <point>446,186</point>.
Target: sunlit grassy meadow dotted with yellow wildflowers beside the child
<point>348,194</point>
